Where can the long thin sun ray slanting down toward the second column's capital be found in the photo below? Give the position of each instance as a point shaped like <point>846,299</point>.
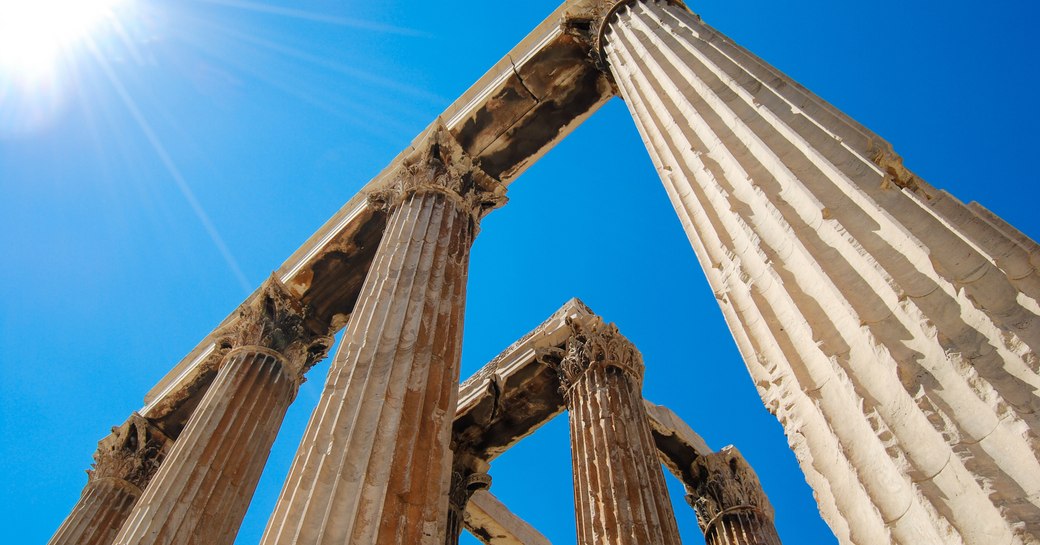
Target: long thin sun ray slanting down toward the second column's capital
<point>172,169</point>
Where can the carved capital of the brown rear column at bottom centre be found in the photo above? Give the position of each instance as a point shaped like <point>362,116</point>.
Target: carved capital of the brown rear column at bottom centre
<point>593,344</point>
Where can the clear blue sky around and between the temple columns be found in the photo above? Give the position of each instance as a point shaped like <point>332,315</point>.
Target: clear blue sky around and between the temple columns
<point>167,174</point>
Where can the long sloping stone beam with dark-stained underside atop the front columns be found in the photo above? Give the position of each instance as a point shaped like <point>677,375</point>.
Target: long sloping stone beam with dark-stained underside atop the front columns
<point>527,103</point>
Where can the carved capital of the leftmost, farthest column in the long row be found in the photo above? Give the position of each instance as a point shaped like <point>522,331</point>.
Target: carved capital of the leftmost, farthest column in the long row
<point>133,453</point>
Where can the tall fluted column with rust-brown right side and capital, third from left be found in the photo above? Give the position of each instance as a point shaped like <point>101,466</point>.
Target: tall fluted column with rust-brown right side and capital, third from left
<point>375,464</point>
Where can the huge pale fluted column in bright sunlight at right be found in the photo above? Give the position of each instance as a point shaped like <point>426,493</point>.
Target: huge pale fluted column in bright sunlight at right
<point>891,328</point>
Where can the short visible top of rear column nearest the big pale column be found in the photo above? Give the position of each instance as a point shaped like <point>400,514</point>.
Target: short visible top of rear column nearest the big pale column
<point>732,507</point>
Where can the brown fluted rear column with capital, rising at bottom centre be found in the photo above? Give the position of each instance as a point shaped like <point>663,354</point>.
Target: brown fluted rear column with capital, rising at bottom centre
<point>619,487</point>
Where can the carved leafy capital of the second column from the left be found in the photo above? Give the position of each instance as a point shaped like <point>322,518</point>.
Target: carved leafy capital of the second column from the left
<point>275,320</point>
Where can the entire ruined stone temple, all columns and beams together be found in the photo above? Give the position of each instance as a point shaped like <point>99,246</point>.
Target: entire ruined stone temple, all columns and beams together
<point>892,329</point>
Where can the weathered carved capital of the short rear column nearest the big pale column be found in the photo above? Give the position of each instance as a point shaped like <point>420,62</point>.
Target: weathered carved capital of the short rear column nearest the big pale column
<point>724,483</point>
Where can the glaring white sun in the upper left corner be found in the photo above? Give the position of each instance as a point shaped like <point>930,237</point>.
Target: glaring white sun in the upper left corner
<point>35,34</point>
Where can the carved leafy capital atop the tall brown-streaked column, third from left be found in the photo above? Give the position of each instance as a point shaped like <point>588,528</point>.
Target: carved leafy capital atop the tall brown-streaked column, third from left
<point>440,165</point>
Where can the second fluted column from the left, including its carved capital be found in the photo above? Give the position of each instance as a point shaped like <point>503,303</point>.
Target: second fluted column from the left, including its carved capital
<point>201,492</point>
